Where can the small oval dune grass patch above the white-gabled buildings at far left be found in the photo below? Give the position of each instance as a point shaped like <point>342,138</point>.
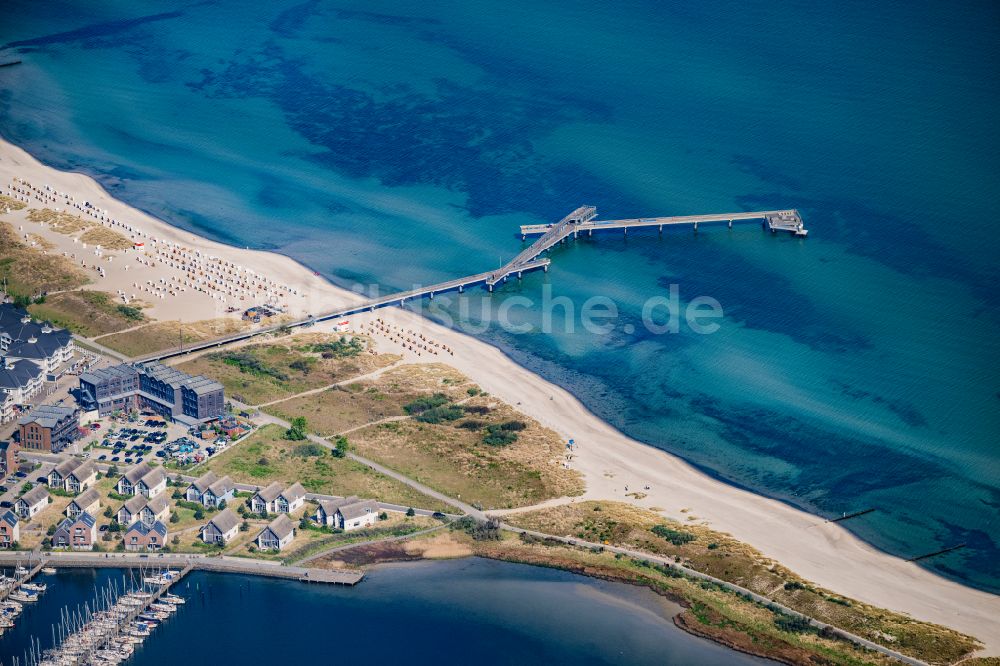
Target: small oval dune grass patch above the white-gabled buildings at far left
<point>88,313</point>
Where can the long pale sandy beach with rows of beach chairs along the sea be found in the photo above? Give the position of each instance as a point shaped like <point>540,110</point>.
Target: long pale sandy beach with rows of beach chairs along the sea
<point>821,552</point>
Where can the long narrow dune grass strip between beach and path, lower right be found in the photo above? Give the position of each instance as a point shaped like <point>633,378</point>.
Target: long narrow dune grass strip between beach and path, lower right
<point>721,556</point>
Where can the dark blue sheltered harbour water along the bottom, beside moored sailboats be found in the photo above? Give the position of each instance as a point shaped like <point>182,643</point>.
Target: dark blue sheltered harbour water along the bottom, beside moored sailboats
<point>459,611</point>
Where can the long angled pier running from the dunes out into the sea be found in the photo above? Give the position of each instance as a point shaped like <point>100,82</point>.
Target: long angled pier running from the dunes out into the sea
<point>581,219</point>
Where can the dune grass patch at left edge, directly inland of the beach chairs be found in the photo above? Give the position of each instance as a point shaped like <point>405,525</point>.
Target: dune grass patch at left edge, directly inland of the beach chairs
<point>29,270</point>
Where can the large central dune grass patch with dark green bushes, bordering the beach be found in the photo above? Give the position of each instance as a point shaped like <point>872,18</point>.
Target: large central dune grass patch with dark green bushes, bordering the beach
<point>458,440</point>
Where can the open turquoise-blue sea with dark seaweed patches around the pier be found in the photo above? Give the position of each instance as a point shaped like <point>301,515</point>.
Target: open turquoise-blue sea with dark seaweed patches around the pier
<point>400,144</point>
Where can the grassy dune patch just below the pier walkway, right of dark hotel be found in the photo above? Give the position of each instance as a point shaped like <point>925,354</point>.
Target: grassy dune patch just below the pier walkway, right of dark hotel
<point>261,373</point>
